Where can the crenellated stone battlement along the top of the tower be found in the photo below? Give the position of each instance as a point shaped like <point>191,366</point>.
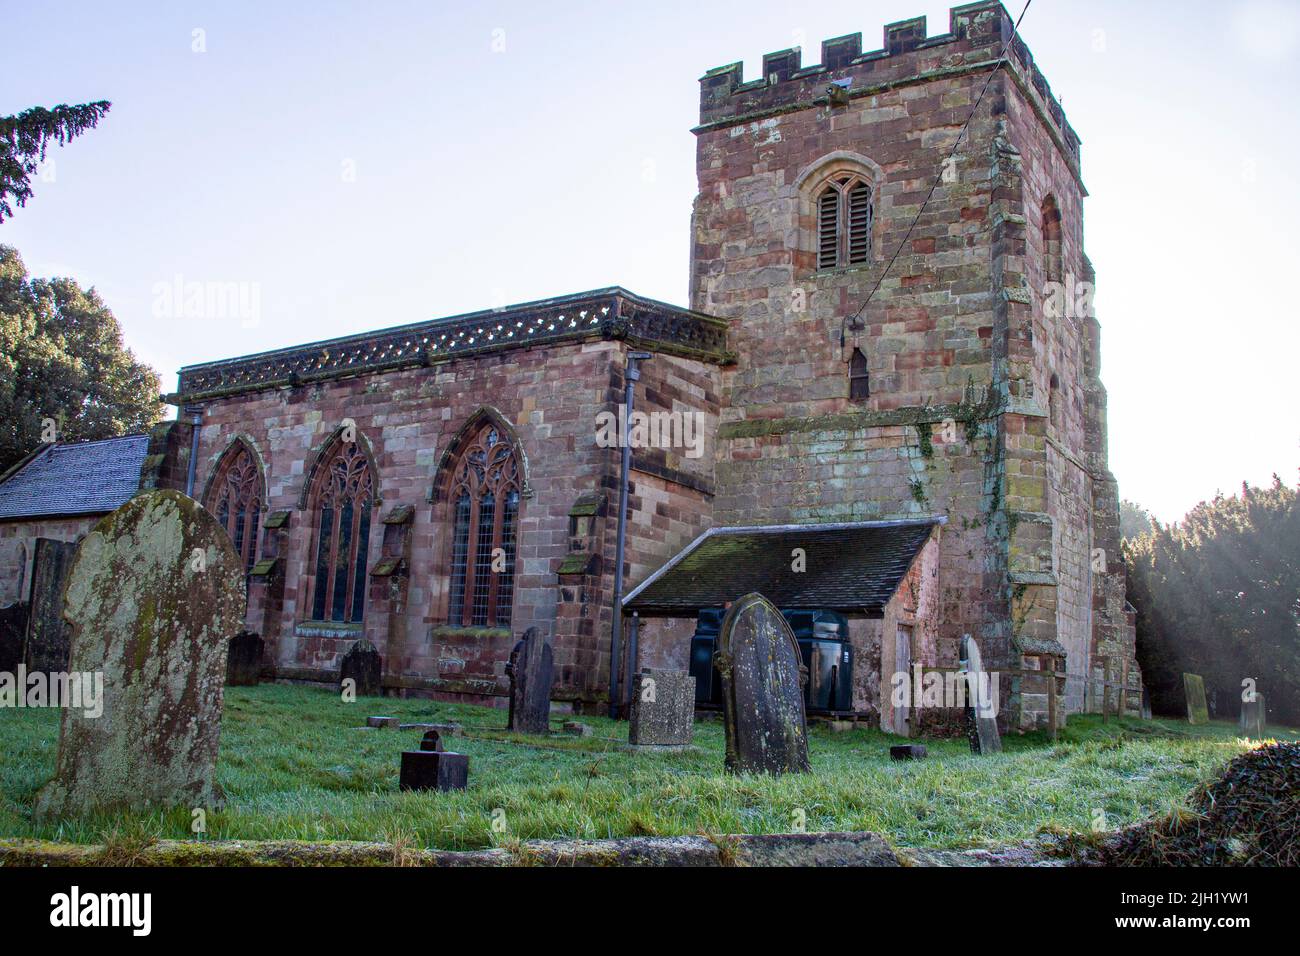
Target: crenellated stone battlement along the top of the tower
<point>976,37</point>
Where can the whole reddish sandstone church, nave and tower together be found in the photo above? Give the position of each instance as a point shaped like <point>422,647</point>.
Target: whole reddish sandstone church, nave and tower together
<point>883,401</point>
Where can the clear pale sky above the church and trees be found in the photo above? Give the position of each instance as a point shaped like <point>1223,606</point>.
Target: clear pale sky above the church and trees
<point>363,166</point>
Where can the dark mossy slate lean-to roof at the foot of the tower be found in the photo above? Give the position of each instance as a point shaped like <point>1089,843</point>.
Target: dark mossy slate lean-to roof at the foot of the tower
<point>851,568</point>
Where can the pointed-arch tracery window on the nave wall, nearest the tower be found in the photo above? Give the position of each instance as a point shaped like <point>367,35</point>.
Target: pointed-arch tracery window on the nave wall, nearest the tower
<point>486,491</point>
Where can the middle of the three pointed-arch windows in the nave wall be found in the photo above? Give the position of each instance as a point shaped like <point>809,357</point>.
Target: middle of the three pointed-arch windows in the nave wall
<point>345,498</point>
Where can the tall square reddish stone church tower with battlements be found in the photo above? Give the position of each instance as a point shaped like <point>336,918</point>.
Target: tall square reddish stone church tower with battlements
<point>969,387</point>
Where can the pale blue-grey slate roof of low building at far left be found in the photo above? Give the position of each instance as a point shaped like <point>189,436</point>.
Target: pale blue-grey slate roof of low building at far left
<point>76,479</point>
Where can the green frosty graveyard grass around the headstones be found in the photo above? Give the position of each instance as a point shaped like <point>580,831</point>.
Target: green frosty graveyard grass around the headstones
<point>296,765</point>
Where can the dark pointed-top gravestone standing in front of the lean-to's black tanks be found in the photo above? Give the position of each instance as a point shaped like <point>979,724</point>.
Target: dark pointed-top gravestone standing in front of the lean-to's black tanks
<point>762,674</point>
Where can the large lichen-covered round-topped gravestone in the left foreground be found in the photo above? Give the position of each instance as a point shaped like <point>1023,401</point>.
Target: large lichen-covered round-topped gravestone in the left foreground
<point>154,596</point>
